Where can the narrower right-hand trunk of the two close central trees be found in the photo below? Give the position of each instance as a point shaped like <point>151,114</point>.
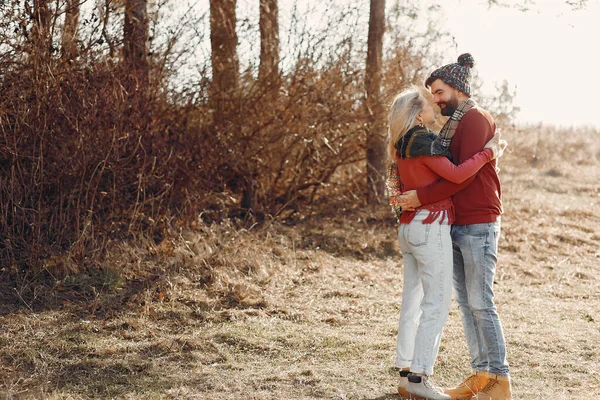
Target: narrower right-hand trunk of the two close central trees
<point>268,72</point>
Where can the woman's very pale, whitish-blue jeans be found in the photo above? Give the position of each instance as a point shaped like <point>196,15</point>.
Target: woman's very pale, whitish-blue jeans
<point>426,293</point>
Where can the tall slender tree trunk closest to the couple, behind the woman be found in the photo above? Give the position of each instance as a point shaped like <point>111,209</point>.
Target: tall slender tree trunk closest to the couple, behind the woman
<point>376,135</point>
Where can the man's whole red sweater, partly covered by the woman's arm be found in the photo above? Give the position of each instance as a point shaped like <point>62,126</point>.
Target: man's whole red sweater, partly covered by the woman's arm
<point>478,199</point>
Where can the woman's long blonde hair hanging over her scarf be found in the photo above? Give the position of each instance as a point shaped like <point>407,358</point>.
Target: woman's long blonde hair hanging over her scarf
<point>403,116</point>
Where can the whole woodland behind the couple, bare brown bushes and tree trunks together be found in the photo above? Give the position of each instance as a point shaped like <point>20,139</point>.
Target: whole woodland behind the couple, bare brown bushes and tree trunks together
<point>113,127</point>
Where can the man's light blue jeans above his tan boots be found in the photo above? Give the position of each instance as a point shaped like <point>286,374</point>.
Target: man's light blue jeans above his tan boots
<point>475,249</point>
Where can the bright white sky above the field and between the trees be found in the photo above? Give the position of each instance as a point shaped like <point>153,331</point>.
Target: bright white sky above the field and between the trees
<point>549,54</point>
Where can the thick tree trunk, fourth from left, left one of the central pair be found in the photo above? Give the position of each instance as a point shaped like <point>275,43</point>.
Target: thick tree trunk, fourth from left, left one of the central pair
<point>225,64</point>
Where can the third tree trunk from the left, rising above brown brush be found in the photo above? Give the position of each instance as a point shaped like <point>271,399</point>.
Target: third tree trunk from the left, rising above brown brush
<point>135,45</point>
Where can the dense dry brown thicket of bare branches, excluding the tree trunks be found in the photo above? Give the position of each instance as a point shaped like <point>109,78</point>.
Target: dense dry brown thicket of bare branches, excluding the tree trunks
<point>84,162</point>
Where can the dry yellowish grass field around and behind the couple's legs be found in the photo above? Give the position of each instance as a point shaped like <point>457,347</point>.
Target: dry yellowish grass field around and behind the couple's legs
<point>308,310</point>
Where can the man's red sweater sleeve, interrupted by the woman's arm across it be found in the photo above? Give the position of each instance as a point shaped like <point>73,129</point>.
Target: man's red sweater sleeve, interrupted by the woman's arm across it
<point>471,135</point>
